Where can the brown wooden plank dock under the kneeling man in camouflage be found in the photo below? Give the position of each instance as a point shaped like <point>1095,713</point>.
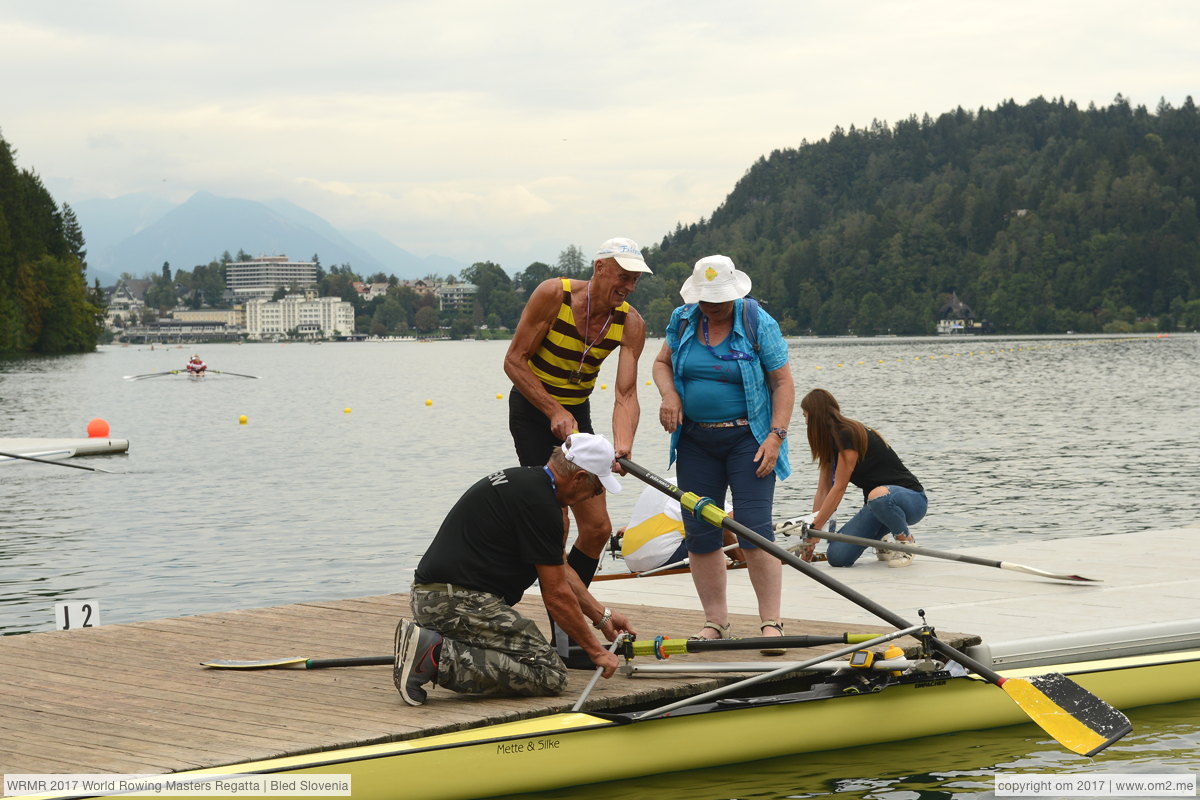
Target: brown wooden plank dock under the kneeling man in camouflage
<point>134,699</point>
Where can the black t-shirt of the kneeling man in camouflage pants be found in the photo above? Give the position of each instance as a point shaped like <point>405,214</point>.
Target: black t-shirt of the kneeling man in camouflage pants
<point>494,537</point>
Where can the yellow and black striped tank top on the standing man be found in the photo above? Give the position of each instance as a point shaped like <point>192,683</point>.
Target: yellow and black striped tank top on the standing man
<point>561,364</point>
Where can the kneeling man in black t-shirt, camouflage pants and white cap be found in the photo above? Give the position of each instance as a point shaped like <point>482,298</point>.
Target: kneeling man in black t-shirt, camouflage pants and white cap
<point>503,534</point>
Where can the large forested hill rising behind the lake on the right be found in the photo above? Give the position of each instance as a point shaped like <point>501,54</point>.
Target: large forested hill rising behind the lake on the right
<point>1043,218</point>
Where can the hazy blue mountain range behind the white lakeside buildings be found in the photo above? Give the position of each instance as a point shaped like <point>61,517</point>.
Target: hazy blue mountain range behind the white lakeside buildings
<point>139,233</point>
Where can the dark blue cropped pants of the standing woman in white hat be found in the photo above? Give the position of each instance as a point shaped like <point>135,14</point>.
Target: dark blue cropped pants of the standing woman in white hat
<point>711,461</point>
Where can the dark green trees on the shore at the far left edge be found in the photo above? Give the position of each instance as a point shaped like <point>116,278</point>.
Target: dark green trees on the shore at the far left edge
<point>45,302</point>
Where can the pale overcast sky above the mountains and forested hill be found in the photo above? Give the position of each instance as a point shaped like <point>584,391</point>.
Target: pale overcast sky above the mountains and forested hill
<point>507,131</point>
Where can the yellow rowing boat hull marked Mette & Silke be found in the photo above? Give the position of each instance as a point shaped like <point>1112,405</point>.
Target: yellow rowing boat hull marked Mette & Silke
<point>574,749</point>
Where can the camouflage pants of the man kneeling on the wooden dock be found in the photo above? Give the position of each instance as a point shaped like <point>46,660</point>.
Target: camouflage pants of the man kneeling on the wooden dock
<point>488,647</point>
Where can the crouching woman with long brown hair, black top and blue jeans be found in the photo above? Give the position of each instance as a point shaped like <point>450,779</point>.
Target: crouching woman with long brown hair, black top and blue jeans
<point>850,453</point>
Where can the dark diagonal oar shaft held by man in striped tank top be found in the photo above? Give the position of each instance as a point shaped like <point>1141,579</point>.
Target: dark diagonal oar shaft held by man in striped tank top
<point>717,516</point>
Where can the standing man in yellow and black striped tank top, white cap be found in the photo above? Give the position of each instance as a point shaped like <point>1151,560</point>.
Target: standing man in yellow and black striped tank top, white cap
<point>567,330</point>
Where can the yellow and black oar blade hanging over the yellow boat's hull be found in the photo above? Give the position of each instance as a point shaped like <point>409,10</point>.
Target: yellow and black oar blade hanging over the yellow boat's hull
<point>1077,719</point>
